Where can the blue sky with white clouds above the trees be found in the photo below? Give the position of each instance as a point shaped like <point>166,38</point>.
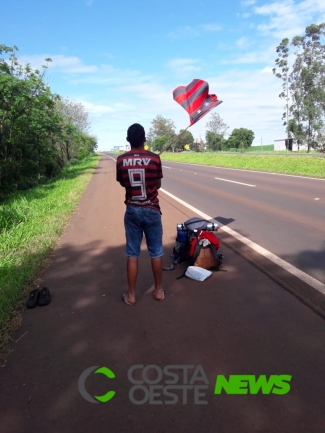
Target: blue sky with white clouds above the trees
<point>123,59</point>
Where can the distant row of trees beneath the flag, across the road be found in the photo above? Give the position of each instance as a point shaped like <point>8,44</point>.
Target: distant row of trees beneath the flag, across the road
<point>163,131</point>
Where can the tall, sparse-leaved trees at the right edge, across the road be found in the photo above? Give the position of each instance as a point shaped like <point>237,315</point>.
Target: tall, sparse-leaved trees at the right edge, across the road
<point>303,86</point>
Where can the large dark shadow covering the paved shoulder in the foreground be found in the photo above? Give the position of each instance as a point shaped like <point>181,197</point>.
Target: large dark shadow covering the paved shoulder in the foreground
<point>238,322</point>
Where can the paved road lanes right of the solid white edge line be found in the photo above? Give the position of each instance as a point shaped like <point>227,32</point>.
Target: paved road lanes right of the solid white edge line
<point>284,214</point>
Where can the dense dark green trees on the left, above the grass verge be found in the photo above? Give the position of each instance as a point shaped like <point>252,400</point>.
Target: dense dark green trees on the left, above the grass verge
<point>40,131</point>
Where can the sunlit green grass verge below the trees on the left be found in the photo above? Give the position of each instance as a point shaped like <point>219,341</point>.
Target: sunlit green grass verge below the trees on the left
<point>30,225</point>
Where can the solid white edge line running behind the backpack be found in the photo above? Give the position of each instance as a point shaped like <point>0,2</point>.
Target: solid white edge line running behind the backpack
<point>319,286</point>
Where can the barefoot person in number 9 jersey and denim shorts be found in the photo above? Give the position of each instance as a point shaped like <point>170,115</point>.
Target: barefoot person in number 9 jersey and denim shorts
<point>139,172</point>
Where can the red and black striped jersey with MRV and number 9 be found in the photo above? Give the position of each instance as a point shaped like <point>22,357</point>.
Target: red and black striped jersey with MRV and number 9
<point>138,171</point>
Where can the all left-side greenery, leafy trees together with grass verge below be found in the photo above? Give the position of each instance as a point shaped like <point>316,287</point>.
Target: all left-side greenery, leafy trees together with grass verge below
<point>46,160</point>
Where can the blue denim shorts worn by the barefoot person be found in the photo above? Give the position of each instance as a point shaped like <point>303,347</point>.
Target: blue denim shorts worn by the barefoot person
<point>139,220</point>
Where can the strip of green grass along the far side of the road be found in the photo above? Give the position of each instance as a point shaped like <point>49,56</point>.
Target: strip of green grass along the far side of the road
<point>289,164</point>
